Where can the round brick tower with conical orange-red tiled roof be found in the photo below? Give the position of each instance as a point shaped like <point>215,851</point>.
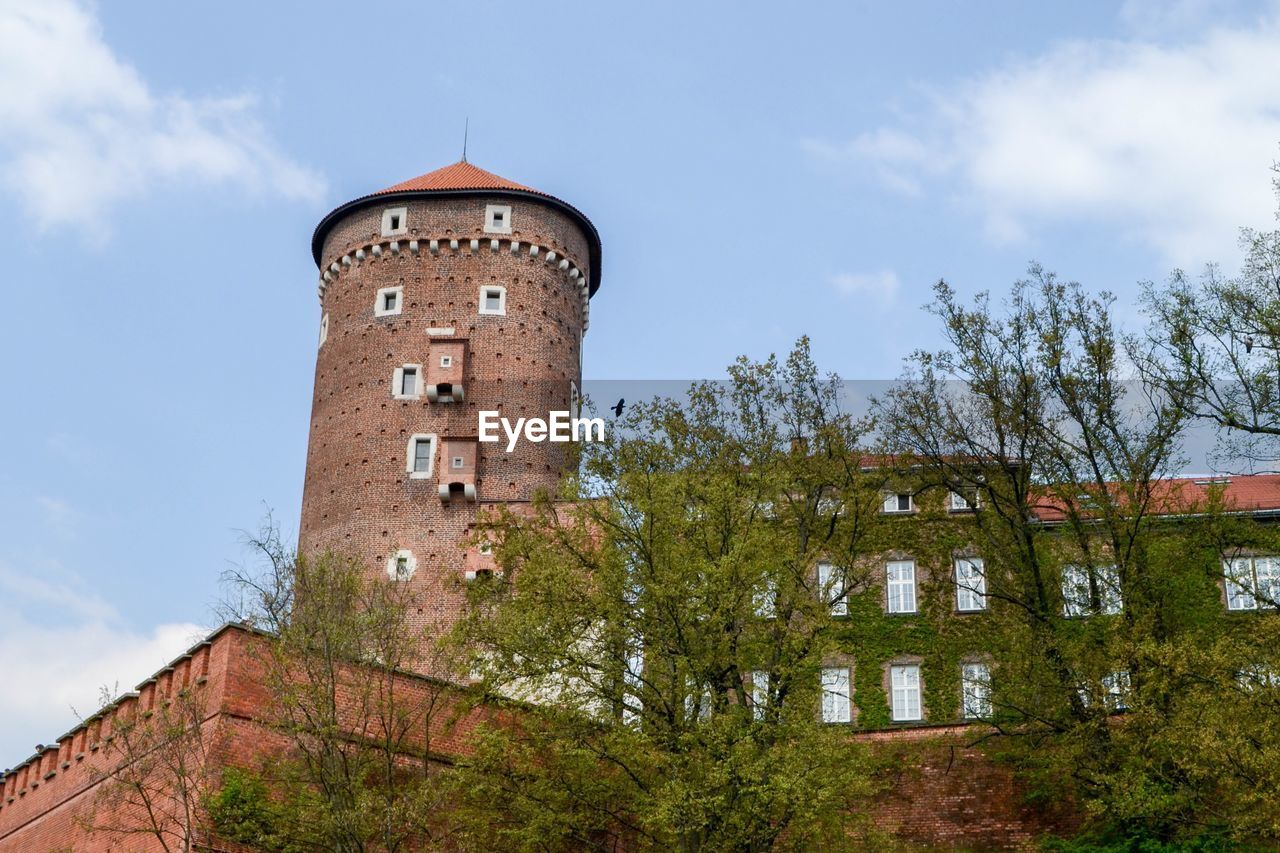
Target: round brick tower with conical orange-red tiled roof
<point>449,295</point>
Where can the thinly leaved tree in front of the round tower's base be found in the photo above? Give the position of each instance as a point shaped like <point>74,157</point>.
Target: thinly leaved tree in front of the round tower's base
<point>358,770</point>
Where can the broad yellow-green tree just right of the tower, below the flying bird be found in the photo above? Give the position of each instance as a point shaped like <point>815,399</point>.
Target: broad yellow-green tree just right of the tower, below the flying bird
<point>665,630</point>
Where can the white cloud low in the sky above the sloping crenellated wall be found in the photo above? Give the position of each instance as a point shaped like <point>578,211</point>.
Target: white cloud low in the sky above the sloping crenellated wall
<point>63,647</point>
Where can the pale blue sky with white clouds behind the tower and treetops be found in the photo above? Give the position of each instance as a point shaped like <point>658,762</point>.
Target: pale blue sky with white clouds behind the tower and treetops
<point>757,172</point>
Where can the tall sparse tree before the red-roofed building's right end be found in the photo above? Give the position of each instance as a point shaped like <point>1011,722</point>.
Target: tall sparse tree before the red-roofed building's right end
<point>1103,578</point>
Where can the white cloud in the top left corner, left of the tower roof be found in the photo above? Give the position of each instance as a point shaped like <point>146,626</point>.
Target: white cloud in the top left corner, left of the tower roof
<point>84,131</point>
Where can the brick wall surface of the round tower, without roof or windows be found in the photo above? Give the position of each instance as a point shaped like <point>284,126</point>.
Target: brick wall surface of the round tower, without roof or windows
<point>358,496</point>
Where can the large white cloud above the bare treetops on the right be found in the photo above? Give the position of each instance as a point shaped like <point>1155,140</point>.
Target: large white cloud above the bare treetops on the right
<point>1168,147</point>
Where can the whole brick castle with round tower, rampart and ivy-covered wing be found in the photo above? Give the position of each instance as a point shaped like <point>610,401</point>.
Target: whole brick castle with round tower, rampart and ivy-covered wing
<point>461,293</point>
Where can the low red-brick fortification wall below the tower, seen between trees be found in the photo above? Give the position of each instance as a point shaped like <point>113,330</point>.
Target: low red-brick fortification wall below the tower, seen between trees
<point>943,792</point>
